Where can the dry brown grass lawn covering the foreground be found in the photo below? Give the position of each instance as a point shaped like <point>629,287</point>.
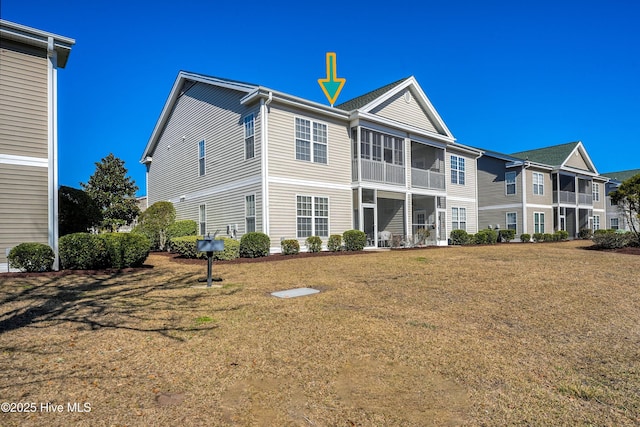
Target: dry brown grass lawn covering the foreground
<point>538,334</point>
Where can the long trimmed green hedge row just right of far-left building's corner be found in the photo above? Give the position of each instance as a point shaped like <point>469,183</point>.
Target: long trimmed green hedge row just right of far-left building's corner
<point>84,251</point>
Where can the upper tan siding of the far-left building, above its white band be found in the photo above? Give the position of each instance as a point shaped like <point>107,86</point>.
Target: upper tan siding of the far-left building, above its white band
<point>23,101</point>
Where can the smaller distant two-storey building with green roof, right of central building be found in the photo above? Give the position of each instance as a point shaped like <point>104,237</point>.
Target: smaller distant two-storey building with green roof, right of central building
<point>541,191</point>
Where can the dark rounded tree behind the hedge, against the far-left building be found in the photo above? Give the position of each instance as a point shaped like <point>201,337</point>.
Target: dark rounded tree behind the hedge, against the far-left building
<point>77,212</point>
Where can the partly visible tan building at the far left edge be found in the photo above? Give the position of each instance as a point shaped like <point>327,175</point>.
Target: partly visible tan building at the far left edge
<point>29,60</point>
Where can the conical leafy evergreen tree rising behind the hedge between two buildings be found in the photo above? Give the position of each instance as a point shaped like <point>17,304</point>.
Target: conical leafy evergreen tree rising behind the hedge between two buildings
<point>113,192</point>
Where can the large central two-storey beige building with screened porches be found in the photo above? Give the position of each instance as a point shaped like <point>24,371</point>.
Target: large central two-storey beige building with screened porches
<point>238,157</point>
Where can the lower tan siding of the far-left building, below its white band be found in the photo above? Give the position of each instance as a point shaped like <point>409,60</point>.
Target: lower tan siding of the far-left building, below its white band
<point>23,206</point>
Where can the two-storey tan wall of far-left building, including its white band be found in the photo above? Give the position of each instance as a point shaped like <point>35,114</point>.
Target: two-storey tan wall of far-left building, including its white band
<point>24,131</point>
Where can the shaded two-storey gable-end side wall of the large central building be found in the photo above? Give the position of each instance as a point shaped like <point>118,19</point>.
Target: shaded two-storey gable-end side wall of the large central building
<point>212,114</point>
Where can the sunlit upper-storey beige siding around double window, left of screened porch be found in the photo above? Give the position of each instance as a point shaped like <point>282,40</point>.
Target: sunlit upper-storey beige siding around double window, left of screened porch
<point>282,149</point>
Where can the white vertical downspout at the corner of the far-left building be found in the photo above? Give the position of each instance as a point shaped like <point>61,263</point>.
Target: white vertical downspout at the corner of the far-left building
<point>52,98</point>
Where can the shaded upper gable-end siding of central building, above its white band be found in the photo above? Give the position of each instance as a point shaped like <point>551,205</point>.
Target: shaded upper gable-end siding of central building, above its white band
<point>212,114</point>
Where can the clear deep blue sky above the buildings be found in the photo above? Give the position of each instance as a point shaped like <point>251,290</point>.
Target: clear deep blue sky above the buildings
<point>504,75</point>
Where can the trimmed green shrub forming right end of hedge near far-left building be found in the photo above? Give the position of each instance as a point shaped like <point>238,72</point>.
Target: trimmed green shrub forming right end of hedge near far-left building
<point>125,249</point>
